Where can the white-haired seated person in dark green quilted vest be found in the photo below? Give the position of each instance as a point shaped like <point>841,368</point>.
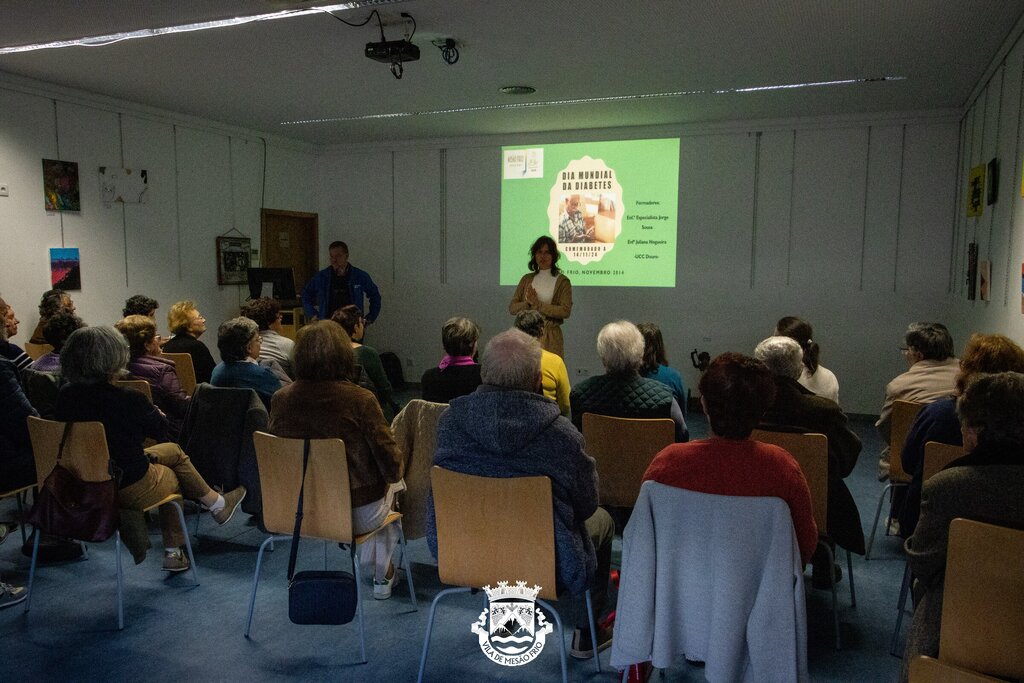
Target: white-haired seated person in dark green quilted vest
<point>621,393</point>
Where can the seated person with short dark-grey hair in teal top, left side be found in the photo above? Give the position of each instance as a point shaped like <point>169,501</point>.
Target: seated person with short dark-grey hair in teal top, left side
<point>239,343</point>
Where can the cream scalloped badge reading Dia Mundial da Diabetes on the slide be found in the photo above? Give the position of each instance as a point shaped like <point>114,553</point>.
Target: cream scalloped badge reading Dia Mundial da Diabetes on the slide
<point>585,210</point>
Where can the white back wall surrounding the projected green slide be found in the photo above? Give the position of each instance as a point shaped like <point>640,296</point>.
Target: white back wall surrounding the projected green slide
<point>848,223</point>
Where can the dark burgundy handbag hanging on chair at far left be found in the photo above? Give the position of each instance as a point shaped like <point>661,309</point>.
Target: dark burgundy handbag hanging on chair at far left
<point>75,509</point>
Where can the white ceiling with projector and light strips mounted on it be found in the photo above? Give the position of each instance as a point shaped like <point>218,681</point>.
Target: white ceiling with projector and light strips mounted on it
<point>262,74</point>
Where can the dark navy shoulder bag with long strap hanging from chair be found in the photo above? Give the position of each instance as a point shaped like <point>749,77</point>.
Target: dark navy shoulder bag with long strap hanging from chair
<point>317,597</point>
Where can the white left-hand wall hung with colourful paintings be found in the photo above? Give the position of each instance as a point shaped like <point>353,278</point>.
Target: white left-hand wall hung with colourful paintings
<point>204,179</point>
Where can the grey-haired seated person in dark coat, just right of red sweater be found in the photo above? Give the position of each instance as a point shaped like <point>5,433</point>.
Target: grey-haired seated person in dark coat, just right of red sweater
<point>796,409</point>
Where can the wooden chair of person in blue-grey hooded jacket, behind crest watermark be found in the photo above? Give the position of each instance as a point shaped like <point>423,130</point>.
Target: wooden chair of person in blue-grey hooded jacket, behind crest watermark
<point>497,530</point>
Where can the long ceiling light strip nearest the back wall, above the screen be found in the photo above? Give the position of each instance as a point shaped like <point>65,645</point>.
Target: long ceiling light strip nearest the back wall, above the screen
<point>588,101</point>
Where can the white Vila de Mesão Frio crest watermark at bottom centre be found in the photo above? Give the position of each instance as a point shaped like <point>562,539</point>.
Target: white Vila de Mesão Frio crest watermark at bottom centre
<point>511,629</point>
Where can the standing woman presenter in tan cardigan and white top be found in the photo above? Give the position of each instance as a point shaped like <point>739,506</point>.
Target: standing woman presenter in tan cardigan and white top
<point>546,290</point>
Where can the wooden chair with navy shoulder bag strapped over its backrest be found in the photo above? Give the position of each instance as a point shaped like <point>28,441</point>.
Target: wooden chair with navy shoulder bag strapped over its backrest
<point>327,506</point>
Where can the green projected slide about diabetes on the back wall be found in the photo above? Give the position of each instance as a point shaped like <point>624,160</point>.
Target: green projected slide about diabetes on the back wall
<point>612,207</point>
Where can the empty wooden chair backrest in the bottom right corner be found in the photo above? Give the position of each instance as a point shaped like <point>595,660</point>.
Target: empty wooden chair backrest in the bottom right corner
<point>983,625</point>
